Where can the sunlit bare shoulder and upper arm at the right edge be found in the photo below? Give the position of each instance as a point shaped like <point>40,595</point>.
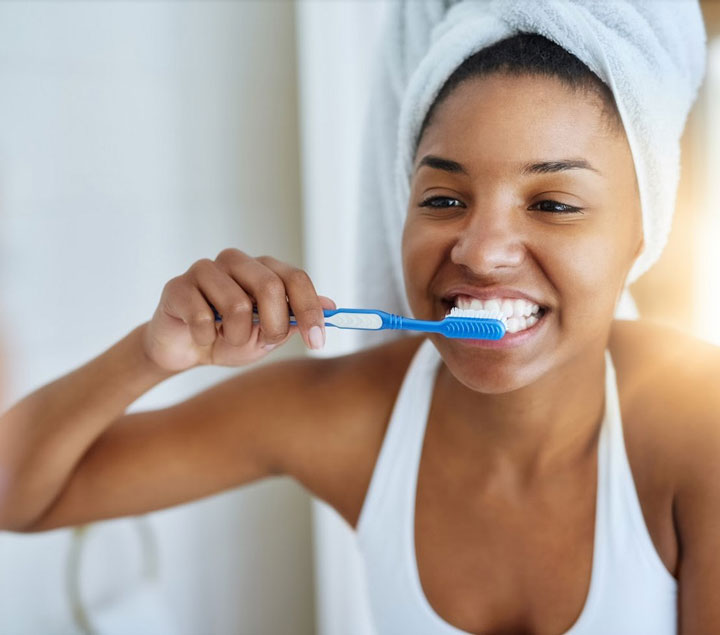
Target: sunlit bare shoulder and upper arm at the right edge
<point>670,385</point>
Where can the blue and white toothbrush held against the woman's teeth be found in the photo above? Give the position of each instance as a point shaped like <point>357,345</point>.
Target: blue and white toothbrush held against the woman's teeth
<point>459,323</point>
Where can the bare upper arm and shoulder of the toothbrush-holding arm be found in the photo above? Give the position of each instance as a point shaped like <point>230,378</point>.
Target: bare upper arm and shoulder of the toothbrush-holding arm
<point>320,421</point>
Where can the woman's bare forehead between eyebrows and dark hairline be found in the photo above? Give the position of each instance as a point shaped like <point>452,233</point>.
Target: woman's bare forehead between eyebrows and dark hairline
<point>509,119</point>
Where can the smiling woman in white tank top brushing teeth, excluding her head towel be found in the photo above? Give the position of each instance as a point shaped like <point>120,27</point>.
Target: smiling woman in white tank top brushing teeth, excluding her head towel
<point>567,477</point>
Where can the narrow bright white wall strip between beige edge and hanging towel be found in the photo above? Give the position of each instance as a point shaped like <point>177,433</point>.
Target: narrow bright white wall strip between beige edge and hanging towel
<point>336,46</point>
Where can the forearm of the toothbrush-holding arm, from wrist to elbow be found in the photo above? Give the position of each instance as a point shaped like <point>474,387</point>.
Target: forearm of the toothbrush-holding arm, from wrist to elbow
<point>44,436</point>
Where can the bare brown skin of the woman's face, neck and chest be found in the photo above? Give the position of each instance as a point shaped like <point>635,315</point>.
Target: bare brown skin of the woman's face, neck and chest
<point>531,464</point>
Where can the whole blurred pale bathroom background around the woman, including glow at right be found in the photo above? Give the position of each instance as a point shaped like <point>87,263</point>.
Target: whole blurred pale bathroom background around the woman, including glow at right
<point>138,137</point>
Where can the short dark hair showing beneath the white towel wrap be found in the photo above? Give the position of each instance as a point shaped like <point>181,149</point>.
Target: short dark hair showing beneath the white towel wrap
<point>534,55</point>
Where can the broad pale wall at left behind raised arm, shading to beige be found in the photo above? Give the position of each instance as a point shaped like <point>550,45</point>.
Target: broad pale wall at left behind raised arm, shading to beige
<point>136,138</point>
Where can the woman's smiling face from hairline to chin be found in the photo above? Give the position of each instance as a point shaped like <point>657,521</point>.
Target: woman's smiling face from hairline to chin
<point>521,188</point>
